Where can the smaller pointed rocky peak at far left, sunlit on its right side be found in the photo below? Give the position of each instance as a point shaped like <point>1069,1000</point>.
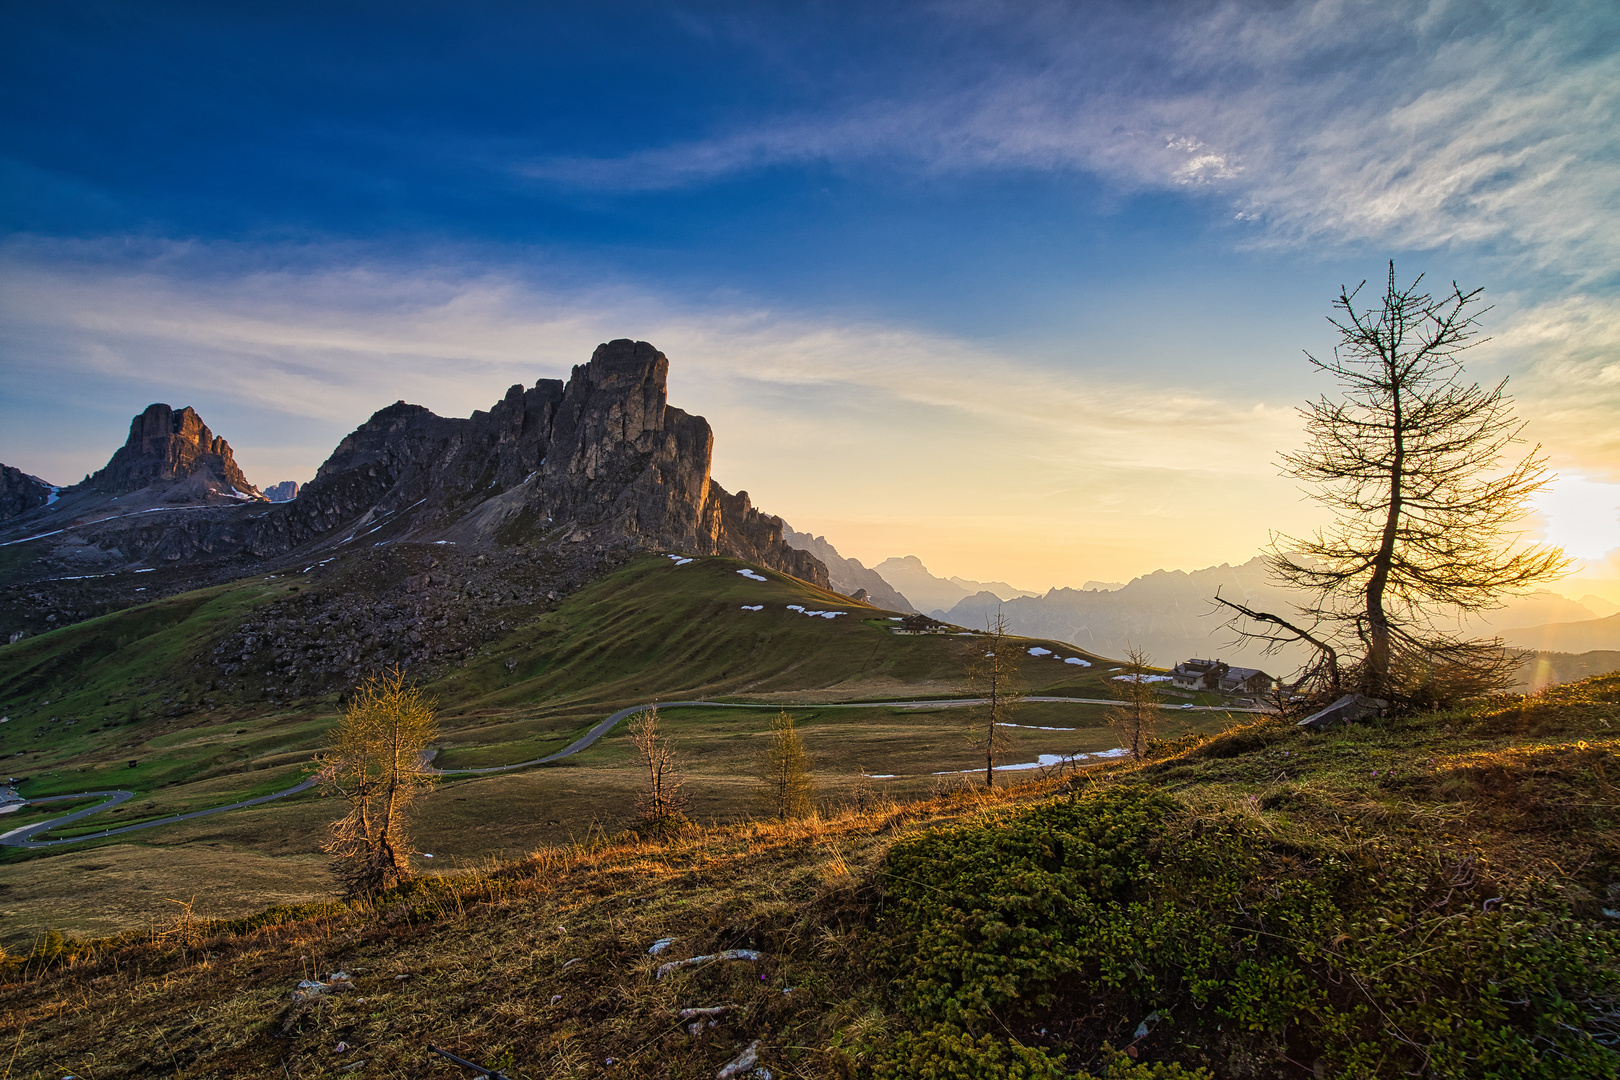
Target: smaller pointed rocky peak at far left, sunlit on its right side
<point>171,448</point>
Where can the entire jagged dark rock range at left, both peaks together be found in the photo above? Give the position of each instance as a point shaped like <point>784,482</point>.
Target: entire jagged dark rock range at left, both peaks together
<point>602,464</point>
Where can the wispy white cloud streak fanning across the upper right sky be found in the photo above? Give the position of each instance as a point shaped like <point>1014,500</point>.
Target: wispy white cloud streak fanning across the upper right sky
<point>1402,124</point>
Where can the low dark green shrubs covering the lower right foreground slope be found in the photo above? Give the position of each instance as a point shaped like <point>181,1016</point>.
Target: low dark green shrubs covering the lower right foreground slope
<point>1028,946</point>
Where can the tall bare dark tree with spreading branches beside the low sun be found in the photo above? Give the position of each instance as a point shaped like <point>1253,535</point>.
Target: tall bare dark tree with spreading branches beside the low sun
<point>1410,461</point>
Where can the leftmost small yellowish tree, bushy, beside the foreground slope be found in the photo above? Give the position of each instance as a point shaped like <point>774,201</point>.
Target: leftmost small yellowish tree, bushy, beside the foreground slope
<point>377,765</point>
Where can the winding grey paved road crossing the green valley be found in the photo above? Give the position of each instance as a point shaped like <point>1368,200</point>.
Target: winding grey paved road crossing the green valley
<point>23,836</point>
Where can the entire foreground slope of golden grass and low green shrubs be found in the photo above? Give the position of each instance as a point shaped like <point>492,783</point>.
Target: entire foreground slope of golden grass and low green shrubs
<point>1407,898</point>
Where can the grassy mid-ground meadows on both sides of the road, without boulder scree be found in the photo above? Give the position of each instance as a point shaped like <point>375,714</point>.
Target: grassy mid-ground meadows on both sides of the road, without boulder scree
<point>647,631</point>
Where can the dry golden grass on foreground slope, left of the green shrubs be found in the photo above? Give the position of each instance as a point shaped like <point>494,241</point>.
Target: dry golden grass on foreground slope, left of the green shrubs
<point>539,967</point>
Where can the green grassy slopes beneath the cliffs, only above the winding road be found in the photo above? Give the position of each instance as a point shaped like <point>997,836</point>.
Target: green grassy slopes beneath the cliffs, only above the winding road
<point>137,686</point>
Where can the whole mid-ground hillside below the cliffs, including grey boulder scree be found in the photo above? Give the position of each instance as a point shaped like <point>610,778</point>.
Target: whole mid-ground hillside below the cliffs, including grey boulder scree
<point>226,694</point>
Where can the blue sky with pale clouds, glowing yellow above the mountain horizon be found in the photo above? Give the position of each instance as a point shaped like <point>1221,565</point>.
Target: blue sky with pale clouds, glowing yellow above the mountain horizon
<point>1021,289</point>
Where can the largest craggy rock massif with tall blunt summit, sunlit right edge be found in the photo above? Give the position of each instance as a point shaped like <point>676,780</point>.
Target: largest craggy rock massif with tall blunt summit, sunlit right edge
<point>603,459</point>
